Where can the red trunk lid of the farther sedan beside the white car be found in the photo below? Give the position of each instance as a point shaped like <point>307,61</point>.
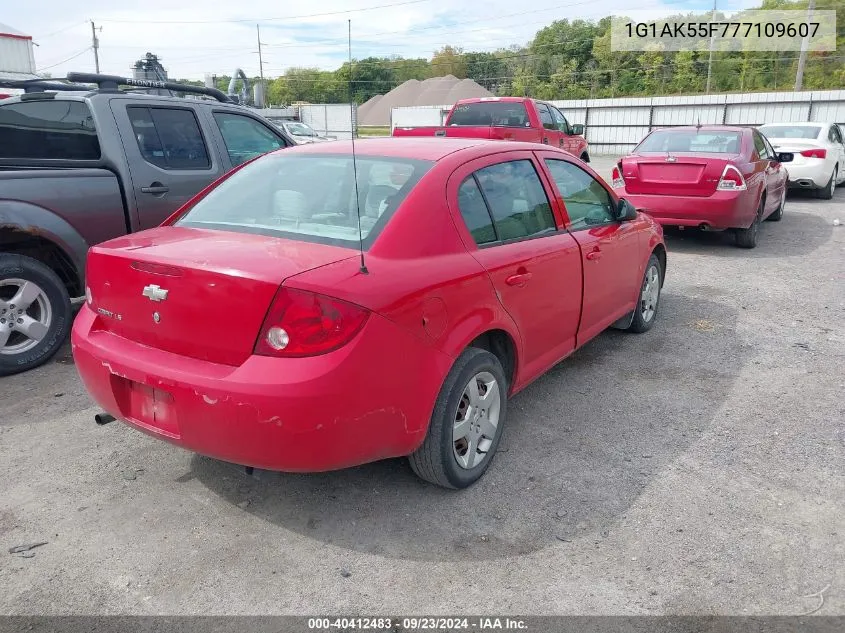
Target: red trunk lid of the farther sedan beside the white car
<point>673,174</point>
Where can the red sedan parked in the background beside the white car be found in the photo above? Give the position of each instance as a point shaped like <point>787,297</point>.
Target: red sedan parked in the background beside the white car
<point>711,177</point>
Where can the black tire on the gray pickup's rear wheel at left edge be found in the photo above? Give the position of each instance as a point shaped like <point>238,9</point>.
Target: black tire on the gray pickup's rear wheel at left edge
<point>28,269</point>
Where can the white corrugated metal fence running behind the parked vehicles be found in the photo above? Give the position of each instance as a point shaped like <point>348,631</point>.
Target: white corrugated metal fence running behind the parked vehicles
<point>614,126</point>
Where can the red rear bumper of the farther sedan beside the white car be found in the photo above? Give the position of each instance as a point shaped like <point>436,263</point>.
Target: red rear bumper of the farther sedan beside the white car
<point>721,210</point>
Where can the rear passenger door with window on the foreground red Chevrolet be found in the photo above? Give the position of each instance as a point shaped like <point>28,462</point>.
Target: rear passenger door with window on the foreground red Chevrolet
<point>503,211</point>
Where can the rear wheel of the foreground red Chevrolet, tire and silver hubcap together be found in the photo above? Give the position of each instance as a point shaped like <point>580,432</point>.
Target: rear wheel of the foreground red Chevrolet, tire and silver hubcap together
<point>466,424</point>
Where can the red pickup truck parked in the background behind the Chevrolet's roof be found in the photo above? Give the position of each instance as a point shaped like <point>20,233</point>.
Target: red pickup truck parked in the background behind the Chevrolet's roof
<point>508,119</point>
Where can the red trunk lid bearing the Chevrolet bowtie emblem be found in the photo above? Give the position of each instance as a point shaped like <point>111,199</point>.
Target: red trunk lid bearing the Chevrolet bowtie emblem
<point>196,292</point>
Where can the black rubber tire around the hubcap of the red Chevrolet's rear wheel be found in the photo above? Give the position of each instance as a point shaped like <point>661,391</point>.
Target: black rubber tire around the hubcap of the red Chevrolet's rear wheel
<point>435,459</point>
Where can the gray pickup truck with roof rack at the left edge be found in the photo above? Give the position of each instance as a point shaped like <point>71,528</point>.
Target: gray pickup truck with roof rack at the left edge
<point>80,165</point>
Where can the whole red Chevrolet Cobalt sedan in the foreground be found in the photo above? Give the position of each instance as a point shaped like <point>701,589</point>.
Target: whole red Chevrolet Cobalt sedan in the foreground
<point>268,324</point>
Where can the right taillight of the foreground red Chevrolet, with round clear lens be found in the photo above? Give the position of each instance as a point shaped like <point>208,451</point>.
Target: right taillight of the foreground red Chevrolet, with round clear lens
<point>301,323</point>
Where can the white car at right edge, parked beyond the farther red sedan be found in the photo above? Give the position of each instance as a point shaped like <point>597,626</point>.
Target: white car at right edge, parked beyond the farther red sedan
<point>819,162</point>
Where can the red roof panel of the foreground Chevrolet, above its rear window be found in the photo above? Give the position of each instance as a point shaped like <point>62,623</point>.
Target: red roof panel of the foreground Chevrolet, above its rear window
<point>432,149</point>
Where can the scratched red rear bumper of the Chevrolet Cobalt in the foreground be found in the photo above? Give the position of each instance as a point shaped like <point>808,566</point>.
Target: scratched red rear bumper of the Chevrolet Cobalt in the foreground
<point>370,400</point>
